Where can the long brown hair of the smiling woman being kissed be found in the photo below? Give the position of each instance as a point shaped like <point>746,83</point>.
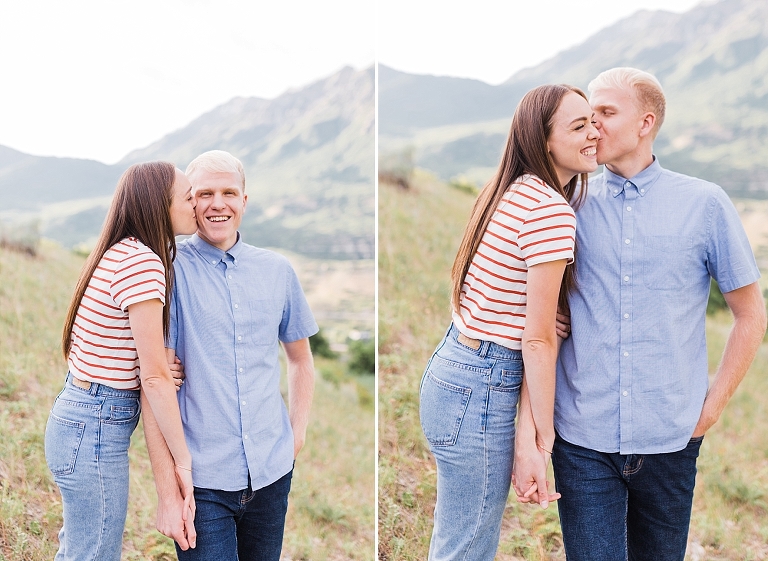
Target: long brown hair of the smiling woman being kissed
<point>525,152</point>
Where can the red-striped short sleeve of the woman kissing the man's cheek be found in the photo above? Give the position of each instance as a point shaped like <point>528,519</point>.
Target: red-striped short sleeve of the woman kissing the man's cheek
<point>139,276</point>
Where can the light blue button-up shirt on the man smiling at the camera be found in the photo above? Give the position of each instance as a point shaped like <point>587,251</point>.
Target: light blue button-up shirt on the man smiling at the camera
<point>228,312</point>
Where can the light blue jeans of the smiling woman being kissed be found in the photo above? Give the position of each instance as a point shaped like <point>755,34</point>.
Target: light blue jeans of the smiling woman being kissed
<point>468,406</point>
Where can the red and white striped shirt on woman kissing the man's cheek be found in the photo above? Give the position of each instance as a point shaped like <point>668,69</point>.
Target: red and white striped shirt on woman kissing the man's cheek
<point>102,349</point>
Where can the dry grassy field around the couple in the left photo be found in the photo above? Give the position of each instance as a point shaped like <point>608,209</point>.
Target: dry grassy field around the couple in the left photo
<point>331,509</point>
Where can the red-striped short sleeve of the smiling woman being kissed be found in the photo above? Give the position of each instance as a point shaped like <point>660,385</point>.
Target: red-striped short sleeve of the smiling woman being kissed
<point>548,232</point>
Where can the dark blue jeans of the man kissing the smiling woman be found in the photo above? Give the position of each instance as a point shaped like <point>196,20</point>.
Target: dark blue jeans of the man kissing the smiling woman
<point>615,507</point>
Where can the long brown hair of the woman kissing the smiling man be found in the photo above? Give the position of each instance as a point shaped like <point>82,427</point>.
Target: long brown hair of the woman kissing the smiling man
<point>140,209</point>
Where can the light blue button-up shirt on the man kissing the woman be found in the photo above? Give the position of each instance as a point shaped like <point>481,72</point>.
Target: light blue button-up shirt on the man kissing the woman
<point>632,376</point>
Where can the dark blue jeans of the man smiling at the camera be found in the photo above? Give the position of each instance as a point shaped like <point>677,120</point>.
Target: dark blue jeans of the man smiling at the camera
<point>240,525</point>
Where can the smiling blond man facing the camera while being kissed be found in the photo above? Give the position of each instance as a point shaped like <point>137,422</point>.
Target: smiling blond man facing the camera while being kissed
<point>232,304</point>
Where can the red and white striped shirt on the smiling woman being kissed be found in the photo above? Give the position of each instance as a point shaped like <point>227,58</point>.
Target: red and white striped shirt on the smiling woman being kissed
<point>533,224</point>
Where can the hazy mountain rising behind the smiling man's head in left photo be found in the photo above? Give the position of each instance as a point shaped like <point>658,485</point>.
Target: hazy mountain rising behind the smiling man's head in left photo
<point>309,162</point>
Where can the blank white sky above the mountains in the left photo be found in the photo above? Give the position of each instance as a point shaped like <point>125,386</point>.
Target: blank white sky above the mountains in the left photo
<point>99,78</point>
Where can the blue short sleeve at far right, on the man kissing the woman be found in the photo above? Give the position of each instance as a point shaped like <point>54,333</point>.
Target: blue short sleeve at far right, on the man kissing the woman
<point>729,256</point>
